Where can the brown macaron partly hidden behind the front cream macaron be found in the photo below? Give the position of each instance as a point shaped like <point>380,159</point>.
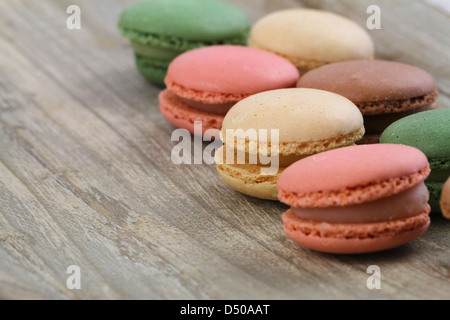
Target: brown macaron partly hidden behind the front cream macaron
<point>384,91</point>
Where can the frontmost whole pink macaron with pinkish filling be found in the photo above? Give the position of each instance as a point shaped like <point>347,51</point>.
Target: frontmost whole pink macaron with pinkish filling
<point>357,199</point>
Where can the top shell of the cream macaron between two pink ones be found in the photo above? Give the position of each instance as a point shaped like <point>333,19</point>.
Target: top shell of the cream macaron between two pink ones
<point>299,115</point>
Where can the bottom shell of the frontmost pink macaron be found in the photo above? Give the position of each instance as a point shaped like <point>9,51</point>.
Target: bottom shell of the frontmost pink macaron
<point>389,234</point>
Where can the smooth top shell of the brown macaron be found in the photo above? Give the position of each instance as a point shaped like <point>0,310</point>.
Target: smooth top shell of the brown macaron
<point>371,81</point>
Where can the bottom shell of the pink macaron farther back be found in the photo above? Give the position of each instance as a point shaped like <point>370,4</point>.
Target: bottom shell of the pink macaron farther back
<point>182,116</point>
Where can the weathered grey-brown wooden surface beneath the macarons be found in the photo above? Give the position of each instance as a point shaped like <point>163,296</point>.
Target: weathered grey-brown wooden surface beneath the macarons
<point>86,177</point>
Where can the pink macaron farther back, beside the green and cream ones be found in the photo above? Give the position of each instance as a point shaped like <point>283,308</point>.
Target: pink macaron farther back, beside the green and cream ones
<point>203,84</point>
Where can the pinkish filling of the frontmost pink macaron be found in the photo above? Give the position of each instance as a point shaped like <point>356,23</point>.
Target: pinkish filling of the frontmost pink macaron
<point>400,206</point>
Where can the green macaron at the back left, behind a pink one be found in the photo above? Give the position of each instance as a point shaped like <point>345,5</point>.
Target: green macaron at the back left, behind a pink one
<point>159,30</point>
